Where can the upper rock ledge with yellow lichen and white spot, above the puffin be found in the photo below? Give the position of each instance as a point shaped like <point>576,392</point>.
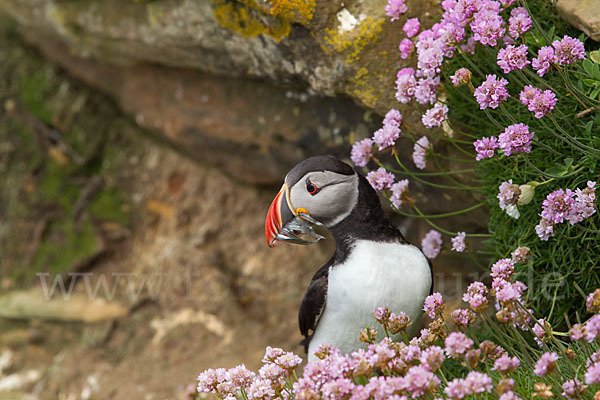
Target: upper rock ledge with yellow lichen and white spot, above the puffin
<point>336,47</point>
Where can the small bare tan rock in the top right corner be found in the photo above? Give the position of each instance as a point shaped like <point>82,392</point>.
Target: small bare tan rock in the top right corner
<point>583,14</point>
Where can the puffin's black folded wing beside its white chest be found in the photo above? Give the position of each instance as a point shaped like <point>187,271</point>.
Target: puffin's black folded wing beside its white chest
<point>313,304</point>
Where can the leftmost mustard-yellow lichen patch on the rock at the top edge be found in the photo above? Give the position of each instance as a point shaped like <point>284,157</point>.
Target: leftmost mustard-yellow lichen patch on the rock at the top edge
<point>248,19</point>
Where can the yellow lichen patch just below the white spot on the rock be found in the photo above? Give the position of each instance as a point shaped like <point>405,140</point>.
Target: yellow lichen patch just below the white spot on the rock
<point>353,42</point>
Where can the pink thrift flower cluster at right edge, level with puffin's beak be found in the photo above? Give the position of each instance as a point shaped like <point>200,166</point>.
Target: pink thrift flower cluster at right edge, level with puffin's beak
<point>565,205</point>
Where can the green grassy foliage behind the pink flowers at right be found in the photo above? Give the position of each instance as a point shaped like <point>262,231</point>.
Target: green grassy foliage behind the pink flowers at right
<point>565,154</point>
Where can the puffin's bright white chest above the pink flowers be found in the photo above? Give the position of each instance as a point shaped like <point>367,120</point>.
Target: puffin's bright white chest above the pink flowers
<point>375,274</point>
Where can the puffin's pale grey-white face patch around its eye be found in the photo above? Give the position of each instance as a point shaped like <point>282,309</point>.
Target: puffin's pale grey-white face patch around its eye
<point>336,196</point>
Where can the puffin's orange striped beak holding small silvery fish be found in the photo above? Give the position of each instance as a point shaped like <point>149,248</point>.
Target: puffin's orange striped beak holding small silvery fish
<point>286,224</point>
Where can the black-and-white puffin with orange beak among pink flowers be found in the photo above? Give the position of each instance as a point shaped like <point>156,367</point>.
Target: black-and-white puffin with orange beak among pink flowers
<point>373,264</point>
